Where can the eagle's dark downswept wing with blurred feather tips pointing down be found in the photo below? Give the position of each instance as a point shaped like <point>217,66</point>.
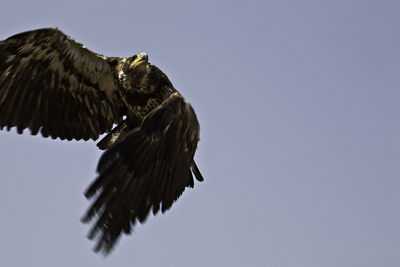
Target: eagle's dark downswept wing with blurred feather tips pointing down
<point>147,170</point>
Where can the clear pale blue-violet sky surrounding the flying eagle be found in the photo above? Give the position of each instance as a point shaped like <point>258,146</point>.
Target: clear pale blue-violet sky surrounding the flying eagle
<point>298,103</point>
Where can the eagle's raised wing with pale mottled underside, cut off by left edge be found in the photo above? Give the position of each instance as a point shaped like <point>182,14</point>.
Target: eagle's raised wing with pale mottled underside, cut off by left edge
<point>51,83</point>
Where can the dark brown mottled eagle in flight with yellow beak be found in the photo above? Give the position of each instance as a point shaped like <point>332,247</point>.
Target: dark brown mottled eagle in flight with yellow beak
<point>51,84</point>
